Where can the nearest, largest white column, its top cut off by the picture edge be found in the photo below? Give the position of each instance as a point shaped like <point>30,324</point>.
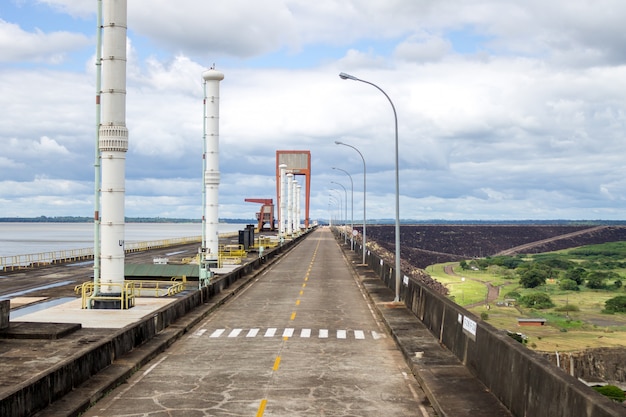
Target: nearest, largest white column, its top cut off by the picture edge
<point>113,144</point>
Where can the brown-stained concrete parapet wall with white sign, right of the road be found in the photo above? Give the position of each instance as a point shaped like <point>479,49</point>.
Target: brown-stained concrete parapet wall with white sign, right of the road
<point>526,383</point>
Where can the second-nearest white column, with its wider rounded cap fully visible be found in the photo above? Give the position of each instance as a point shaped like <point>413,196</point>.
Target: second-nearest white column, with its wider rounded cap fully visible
<point>212,80</point>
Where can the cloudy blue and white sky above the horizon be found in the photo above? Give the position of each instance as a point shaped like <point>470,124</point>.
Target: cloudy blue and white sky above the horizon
<point>506,109</point>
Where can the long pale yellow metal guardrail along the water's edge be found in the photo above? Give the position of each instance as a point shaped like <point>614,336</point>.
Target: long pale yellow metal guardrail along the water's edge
<point>14,262</point>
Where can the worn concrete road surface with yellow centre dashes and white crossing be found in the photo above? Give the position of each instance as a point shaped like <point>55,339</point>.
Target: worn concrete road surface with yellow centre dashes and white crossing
<point>302,340</point>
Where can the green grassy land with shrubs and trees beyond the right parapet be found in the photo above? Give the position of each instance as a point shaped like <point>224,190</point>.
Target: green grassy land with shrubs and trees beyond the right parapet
<point>575,322</point>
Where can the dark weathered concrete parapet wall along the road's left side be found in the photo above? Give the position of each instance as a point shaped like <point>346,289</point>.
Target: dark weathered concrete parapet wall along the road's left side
<point>42,390</point>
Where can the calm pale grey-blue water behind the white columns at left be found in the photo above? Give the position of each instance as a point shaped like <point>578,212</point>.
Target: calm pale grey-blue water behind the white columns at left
<point>27,238</point>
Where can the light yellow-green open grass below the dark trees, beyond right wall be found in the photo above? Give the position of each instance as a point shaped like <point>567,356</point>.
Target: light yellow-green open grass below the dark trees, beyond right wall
<point>571,331</point>
